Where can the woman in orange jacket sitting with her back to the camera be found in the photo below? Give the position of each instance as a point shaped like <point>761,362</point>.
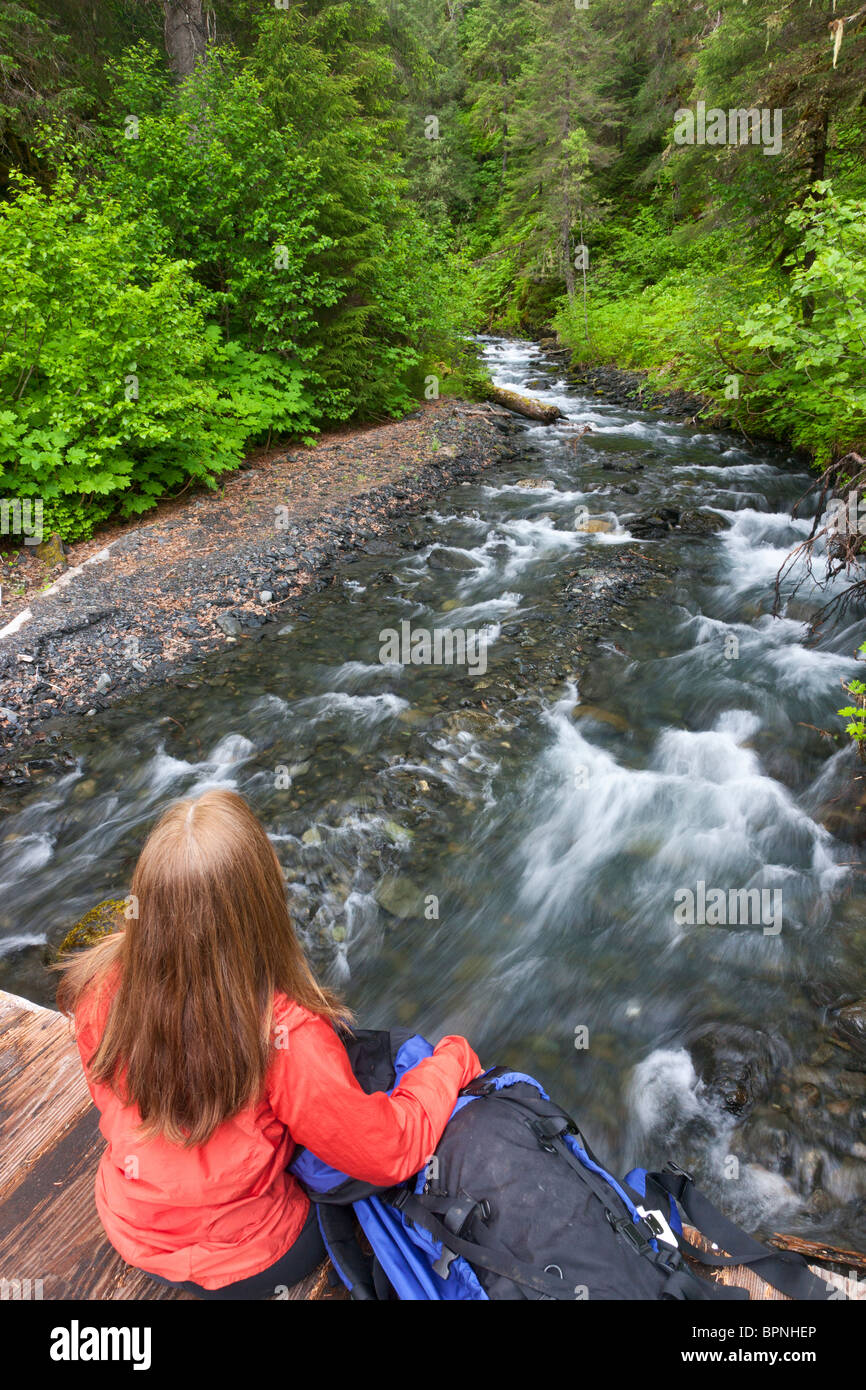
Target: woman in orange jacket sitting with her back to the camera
<point>212,1052</point>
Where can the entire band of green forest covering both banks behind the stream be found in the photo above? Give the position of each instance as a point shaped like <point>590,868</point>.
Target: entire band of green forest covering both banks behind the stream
<point>229,224</point>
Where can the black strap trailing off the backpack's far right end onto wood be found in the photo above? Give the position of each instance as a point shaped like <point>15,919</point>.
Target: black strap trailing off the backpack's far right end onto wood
<point>783,1270</point>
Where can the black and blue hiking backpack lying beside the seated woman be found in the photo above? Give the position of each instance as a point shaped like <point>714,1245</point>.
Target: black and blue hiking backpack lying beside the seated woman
<point>514,1204</point>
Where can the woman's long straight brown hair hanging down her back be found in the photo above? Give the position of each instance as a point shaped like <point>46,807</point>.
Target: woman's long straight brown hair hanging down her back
<point>188,1038</point>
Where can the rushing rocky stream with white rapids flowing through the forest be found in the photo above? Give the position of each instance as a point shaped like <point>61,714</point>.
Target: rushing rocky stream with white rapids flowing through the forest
<point>503,853</point>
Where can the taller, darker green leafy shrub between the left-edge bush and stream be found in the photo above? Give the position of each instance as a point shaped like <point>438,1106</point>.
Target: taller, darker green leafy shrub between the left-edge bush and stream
<point>305,240</point>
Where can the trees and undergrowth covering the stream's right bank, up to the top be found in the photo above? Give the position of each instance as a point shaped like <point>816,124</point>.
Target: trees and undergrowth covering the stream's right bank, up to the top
<point>736,270</point>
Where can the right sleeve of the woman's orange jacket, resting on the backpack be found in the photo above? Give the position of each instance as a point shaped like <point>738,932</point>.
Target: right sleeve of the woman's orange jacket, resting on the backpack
<point>377,1139</point>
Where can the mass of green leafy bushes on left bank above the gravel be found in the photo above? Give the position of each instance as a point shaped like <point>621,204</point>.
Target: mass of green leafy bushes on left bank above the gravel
<point>222,262</point>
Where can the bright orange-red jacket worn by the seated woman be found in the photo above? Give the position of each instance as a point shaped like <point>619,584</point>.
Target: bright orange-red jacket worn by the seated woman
<point>229,1209</point>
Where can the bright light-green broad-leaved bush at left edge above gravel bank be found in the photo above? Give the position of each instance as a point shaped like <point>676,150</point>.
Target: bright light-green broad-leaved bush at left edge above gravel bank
<point>112,387</point>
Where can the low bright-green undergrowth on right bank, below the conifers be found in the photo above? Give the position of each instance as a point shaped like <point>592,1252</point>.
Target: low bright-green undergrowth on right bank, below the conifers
<point>779,350</point>
